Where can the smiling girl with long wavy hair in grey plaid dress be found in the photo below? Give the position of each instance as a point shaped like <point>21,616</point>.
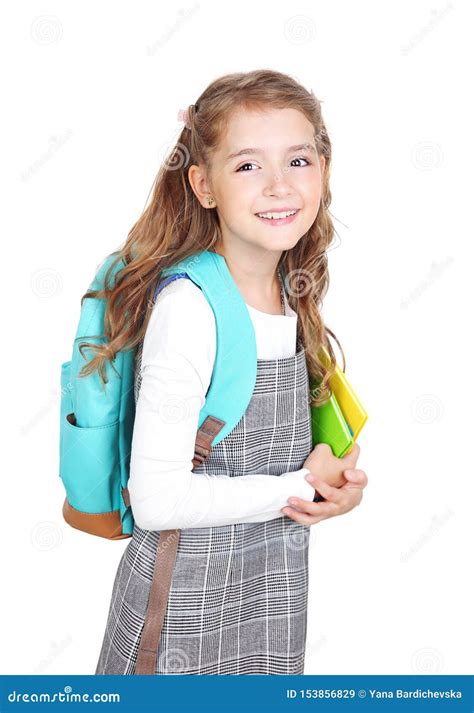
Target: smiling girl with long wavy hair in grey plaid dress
<point>248,180</point>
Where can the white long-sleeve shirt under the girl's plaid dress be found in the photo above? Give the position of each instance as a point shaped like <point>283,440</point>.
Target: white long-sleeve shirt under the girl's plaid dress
<point>178,356</point>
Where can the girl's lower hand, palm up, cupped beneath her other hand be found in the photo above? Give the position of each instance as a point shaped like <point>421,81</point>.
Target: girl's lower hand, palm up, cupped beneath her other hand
<point>338,500</point>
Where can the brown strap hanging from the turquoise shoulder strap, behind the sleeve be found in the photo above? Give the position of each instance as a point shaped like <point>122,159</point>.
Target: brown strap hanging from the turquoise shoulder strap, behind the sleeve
<point>167,548</point>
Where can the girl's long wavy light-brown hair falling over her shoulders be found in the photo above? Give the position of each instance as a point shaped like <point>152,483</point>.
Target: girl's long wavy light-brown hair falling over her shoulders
<point>174,226</point>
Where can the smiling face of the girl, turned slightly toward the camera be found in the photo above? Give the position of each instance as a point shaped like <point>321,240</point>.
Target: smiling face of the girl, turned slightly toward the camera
<point>277,169</point>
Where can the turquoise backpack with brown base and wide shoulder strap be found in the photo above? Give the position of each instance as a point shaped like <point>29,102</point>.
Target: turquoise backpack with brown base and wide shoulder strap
<point>97,420</point>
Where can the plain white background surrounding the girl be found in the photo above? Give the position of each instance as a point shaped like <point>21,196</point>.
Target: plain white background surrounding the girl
<point>91,93</point>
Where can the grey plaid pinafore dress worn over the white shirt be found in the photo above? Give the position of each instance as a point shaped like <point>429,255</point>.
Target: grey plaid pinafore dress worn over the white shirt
<point>238,597</point>
